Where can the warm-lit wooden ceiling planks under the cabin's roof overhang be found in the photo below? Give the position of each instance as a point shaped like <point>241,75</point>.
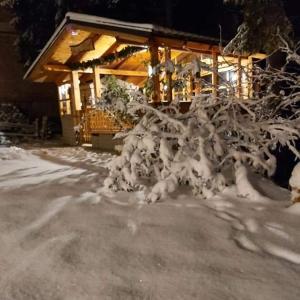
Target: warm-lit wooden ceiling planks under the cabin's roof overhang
<point>106,42</point>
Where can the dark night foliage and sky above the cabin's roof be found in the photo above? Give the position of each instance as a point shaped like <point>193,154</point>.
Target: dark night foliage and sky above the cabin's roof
<point>36,19</point>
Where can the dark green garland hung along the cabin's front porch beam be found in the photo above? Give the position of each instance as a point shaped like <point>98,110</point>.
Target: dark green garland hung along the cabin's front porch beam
<point>106,59</point>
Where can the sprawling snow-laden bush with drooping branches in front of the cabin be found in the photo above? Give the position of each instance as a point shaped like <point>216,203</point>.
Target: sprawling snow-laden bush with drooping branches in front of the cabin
<point>168,148</point>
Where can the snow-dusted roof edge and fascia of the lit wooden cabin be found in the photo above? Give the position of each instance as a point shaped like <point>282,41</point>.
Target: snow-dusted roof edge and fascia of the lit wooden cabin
<point>139,29</point>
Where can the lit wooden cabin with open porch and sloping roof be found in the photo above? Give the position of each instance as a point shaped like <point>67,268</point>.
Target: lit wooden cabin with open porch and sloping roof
<point>80,39</point>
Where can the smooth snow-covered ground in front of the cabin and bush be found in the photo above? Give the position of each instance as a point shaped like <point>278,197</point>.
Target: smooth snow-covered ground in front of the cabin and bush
<point>62,236</point>
